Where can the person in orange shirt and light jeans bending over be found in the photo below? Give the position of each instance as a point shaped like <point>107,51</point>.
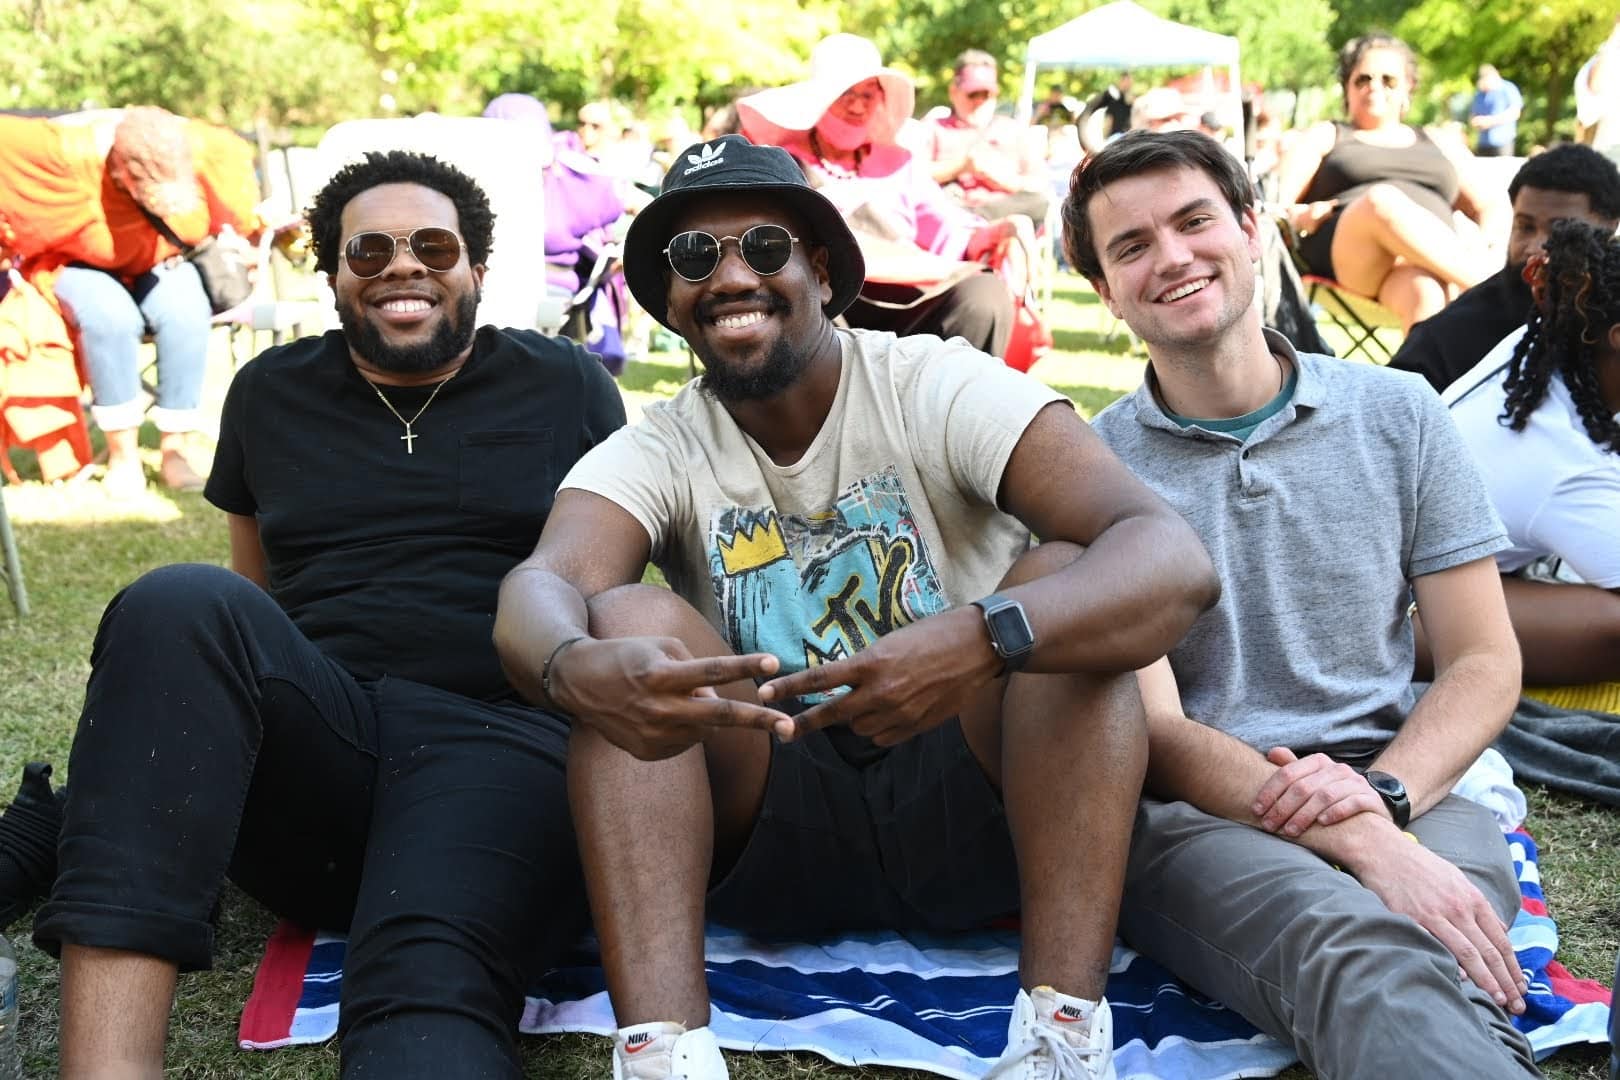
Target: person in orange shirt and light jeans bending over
<point>75,198</point>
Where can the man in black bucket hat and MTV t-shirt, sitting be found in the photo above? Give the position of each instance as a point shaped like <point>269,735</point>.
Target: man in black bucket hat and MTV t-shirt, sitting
<point>866,700</point>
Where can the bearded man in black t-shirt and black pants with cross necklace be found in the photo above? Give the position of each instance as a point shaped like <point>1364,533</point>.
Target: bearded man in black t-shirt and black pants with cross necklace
<point>330,725</point>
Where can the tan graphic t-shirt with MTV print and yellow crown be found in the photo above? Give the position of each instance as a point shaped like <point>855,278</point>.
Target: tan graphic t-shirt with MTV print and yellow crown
<point>887,519</point>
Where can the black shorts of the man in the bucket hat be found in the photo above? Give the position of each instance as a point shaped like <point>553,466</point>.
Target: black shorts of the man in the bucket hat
<point>914,840</point>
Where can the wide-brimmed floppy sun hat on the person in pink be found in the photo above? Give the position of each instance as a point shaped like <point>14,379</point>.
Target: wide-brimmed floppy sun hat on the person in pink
<point>837,64</point>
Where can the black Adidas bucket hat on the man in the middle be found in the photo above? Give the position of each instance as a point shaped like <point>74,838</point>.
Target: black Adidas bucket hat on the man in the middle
<point>735,164</point>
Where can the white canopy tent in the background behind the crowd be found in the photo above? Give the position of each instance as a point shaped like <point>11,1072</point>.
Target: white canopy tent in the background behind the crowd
<point>1123,35</point>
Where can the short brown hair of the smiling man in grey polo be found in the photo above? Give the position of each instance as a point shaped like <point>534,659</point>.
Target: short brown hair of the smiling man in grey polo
<point>1140,153</point>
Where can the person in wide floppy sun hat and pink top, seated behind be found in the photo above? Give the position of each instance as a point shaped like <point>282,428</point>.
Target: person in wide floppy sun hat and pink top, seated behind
<point>923,252</point>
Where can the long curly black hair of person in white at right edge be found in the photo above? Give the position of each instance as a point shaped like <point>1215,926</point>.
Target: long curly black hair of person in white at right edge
<point>1567,330</point>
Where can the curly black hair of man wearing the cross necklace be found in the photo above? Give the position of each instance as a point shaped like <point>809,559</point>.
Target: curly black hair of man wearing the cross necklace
<point>472,205</point>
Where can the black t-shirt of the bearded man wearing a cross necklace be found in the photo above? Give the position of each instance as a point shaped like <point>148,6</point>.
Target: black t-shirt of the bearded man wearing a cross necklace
<point>391,561</point>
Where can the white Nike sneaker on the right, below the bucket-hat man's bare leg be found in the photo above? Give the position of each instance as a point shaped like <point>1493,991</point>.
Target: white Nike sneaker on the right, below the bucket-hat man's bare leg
<point>1055,1037</point>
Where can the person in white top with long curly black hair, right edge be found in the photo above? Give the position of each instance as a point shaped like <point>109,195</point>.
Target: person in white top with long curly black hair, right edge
<point>1541,415</point>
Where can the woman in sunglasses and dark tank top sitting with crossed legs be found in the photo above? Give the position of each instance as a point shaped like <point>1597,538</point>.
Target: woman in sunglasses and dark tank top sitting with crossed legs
<point>1371,202</point>
